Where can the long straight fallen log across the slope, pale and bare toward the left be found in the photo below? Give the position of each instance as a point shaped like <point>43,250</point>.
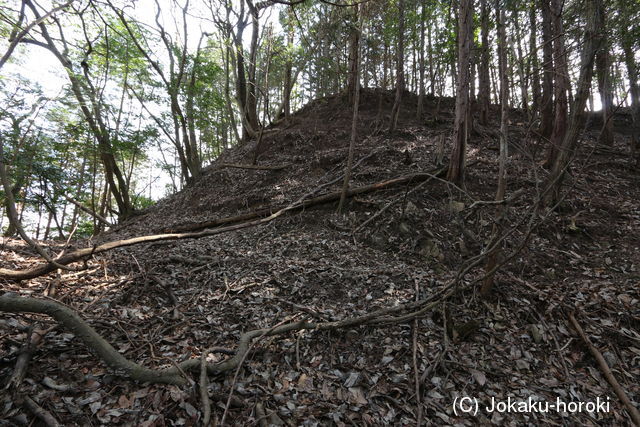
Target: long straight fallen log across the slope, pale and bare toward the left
<point>249,218</point>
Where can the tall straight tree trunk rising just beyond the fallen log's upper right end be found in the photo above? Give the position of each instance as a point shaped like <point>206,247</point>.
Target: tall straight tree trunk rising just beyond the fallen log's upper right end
<point>456,171</point>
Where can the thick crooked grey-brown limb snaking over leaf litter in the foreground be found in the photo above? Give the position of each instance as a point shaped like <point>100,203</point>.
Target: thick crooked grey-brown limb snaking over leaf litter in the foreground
<point>69,319</point>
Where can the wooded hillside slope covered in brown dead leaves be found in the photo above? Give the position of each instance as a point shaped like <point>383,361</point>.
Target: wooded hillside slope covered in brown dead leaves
<point>165,302</point>
